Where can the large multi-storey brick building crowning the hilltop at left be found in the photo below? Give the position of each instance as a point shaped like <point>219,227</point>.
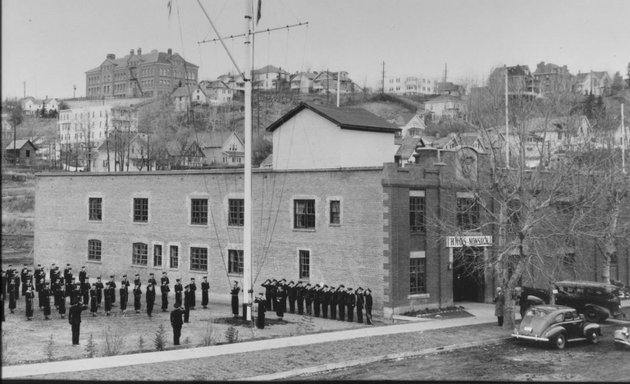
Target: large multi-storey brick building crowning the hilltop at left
<point>137,75</point>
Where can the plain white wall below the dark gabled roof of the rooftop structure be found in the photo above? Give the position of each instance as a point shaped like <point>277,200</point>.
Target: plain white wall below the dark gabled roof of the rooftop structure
<point>309,141</point>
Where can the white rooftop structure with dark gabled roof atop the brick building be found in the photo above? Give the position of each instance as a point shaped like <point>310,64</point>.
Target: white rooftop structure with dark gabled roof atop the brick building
<point>314,136</point>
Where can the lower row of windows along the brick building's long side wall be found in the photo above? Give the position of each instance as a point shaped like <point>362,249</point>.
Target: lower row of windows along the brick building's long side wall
<point>198,257</point>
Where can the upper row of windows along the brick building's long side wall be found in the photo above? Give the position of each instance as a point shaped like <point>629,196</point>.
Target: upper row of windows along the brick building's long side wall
<point>304,211</point>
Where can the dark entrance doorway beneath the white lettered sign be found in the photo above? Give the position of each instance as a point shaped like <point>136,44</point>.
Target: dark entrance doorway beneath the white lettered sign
<point>468,276</point>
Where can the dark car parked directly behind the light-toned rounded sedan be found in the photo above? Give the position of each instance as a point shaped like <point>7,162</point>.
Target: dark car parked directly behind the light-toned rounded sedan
<point>597,301</point>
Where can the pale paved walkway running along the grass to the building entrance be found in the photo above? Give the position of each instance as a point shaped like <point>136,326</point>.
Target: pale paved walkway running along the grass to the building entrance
<point>482,313</point>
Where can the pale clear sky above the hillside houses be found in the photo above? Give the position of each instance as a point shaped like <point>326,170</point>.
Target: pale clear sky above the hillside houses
<point>47,46</point>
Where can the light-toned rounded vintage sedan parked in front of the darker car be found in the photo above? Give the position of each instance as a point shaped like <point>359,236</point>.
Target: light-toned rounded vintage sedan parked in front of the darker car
<point>556,325</point>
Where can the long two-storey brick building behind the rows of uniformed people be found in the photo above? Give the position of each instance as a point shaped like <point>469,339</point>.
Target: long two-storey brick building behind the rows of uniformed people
<point>332,209</point>
